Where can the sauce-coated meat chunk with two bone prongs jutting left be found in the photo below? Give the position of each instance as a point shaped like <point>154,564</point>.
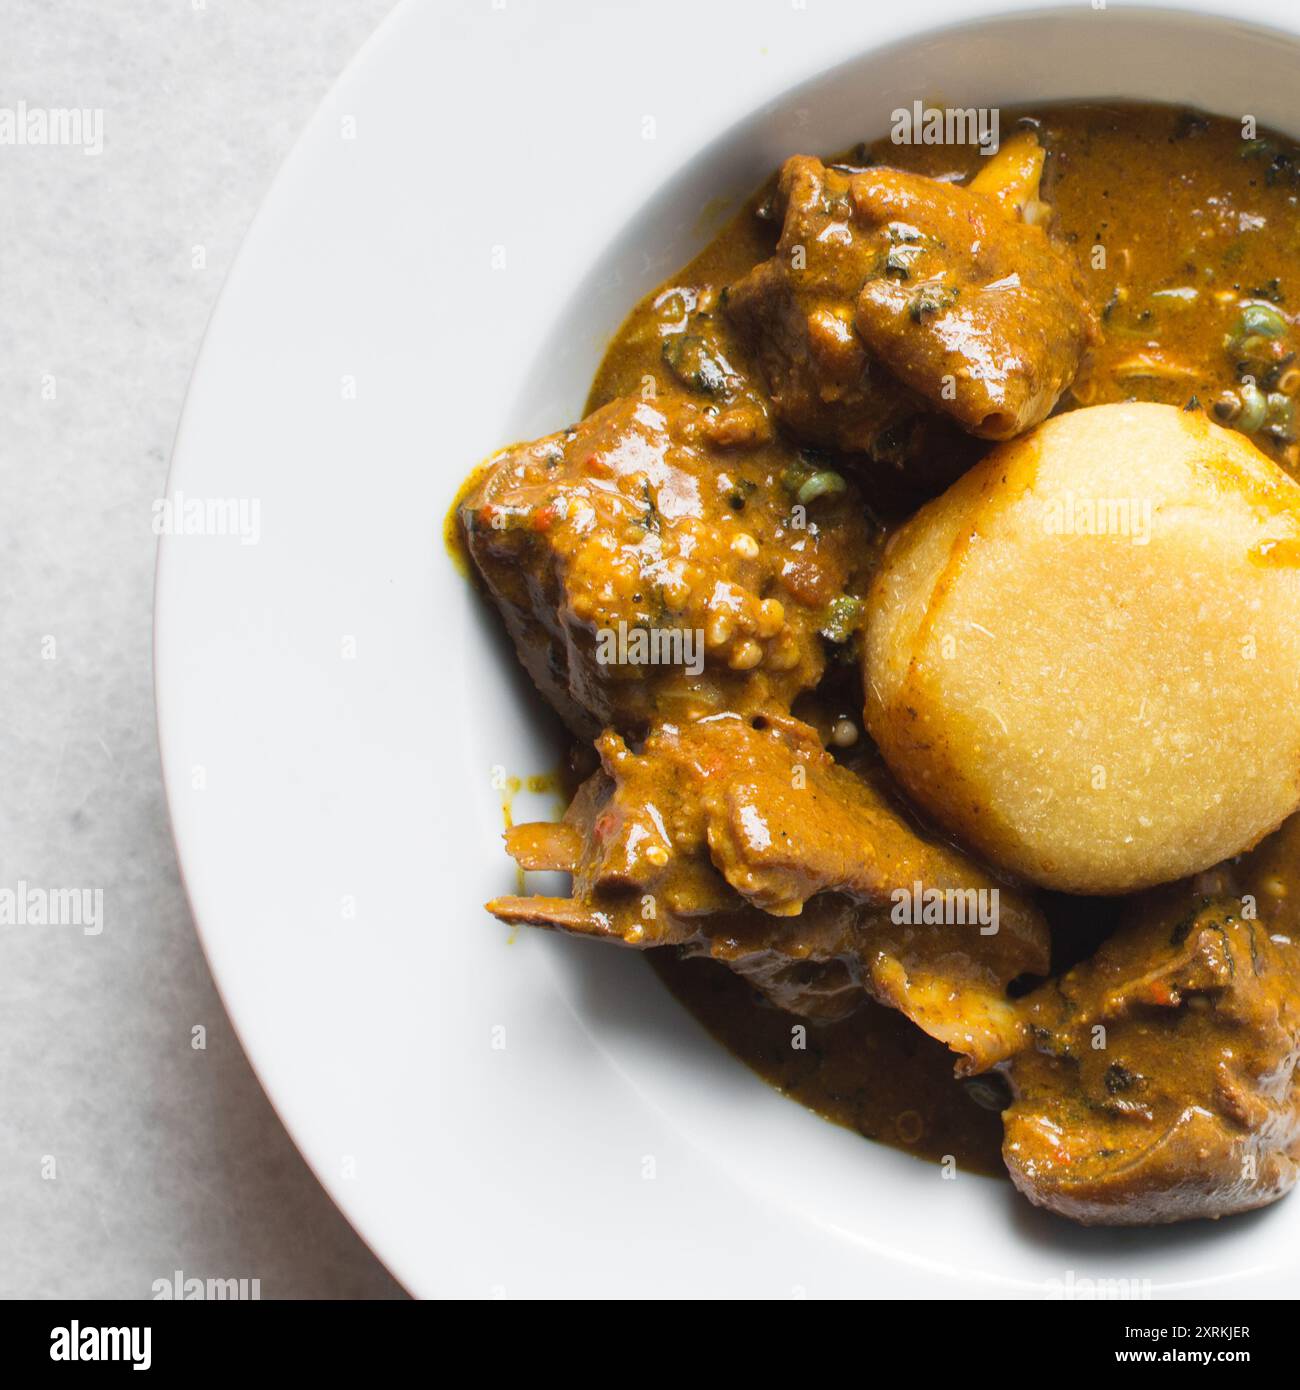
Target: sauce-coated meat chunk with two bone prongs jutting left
<point>746,842</point>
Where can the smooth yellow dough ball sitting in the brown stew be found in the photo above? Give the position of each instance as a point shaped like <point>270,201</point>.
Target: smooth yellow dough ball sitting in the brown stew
<point>1085,657</point>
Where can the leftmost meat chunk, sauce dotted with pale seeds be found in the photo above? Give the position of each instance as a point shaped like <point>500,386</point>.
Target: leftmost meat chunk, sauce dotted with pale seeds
<point>668,557</point>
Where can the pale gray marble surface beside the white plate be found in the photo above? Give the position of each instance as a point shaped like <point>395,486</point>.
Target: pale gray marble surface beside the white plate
<point>126,1153</point>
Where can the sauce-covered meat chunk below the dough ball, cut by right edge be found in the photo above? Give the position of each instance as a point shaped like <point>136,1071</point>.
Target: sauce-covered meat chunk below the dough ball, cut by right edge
<point>1162,1082</point>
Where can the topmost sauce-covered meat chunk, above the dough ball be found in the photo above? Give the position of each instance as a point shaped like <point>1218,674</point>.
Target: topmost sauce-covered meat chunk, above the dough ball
<point>893,295</point>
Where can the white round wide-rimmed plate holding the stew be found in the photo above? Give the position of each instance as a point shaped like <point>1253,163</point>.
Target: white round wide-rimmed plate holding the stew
<point>333,698</point>
